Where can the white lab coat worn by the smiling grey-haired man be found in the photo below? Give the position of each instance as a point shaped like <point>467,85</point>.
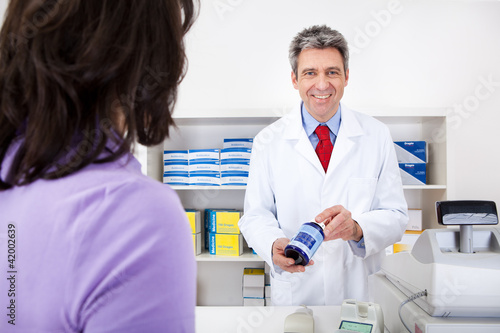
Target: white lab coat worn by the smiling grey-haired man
<point>287,187</point>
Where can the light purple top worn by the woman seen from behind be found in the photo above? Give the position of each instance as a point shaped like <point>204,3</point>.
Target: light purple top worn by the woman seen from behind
<point>105,249</point>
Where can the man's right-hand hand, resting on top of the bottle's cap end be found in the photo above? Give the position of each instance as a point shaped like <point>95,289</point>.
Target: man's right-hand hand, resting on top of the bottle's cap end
<point>339,224</point>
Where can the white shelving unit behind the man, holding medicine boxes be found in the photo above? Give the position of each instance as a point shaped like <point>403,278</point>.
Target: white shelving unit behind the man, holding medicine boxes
<point>219,281</point>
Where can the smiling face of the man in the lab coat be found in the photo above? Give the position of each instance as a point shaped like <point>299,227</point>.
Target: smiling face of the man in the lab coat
<point>320,81</point>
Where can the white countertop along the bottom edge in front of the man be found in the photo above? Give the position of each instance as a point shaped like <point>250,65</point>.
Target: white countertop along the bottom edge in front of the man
<point>260,319</point>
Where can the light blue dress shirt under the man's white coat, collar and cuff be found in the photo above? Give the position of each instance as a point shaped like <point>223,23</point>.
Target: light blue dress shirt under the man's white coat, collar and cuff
<point>310,124</point>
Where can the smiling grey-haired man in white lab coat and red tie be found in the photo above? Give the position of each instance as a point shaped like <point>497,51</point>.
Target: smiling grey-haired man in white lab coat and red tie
<point>357,191</point>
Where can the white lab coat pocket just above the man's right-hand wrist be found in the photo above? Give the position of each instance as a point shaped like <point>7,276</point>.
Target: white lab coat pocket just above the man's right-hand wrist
<point>360,194</point>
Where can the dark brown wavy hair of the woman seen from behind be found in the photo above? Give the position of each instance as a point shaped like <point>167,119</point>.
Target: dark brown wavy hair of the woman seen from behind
<point>77,75</point>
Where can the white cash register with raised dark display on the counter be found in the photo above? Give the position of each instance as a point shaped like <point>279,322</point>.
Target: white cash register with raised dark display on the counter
<point>450,281</point>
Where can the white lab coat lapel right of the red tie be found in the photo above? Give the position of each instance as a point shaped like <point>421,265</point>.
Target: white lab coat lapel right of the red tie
<point>346,139</point>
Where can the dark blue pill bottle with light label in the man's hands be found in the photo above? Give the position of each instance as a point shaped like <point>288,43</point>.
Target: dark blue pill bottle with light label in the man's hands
<point>305,242</point>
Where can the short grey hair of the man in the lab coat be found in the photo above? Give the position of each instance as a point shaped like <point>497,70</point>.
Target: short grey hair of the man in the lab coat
<point>318,37</point>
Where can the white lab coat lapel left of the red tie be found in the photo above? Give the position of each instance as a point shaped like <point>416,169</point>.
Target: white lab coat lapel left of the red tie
<point>295,131</point>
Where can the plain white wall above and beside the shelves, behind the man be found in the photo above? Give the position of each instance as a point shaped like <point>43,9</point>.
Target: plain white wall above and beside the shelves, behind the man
<point>403,54</point>
